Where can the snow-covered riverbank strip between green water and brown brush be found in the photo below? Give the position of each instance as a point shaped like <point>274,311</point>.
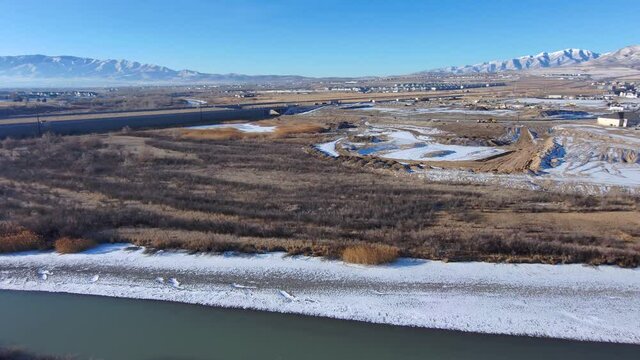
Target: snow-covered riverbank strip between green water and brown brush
<point>566,301</point>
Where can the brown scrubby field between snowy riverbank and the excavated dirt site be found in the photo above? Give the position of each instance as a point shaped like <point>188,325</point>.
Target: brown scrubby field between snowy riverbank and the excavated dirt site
<point>275,193</point>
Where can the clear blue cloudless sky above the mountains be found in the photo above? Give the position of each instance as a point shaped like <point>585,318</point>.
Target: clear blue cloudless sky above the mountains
<point>315,38</point>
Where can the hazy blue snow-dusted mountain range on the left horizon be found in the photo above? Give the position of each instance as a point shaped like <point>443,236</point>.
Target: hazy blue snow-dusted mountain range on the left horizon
<point>61,70</point>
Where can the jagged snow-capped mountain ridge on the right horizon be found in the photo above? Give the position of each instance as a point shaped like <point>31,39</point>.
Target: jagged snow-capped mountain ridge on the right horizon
<point>543,60</point>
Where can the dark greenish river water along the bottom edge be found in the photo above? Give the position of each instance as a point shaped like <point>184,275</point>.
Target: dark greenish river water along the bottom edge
<point>110,328</point>
